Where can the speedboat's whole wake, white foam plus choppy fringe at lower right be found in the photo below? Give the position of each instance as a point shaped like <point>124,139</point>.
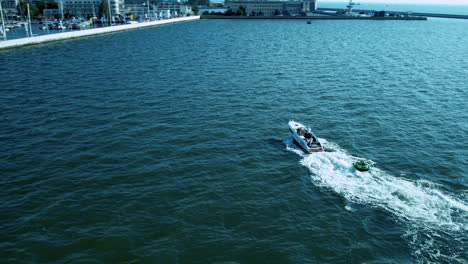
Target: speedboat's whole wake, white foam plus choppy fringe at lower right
<point>435,221</point>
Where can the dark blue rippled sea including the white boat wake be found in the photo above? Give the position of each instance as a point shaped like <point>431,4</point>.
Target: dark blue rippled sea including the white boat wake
<point>170,144</point>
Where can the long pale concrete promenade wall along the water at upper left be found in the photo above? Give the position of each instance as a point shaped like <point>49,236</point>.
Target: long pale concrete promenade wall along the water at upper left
<point>15,43</point>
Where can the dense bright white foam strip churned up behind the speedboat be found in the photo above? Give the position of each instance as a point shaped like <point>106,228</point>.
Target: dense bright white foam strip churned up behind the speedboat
<point>415,201</point>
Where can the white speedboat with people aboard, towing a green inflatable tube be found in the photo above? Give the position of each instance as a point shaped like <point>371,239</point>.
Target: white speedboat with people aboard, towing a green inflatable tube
<point>305,138</point>
